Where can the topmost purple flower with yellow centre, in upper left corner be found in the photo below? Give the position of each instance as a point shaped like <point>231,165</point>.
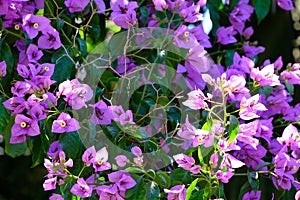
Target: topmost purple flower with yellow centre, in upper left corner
<point>32,24</point>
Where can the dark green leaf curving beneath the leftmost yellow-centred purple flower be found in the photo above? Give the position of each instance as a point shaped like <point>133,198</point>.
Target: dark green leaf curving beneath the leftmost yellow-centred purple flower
<point>13,150</point>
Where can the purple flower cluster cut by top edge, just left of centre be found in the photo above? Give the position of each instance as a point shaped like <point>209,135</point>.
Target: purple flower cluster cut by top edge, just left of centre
<point>123,13</point>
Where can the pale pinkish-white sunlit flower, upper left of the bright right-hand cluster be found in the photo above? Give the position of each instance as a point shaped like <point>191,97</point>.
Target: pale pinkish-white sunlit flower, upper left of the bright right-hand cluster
<point>196,100</point>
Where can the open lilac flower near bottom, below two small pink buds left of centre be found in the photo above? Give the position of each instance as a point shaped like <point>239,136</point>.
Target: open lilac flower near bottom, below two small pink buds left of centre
<point>122,179</point>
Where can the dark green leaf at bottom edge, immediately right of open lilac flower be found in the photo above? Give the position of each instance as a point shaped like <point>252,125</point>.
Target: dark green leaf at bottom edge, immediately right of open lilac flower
<point>138,192</point>
